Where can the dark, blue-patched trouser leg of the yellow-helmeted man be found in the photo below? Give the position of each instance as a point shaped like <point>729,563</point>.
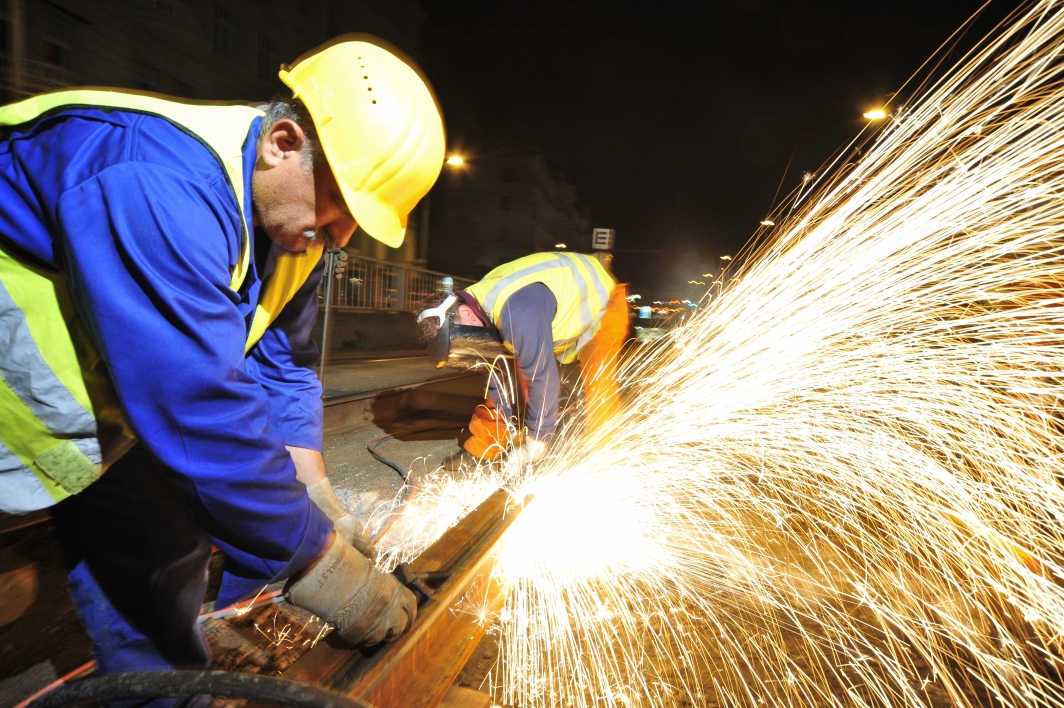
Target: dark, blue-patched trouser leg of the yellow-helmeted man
<point>138,565</point>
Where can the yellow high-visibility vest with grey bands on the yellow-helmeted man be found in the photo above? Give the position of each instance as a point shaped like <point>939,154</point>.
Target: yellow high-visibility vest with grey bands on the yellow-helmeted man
<point>63,425</point>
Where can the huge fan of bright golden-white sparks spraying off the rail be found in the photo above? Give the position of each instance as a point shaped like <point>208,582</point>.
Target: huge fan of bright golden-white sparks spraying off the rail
<point>840,483</point>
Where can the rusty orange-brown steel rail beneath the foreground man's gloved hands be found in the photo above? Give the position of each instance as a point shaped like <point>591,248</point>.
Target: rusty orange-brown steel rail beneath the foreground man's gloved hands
<point>419,670</point>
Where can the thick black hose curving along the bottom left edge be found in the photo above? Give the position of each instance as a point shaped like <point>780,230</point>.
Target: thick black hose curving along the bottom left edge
<point>172,684</point>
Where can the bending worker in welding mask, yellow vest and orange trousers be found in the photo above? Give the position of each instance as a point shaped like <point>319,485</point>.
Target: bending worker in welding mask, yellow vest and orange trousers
<point>545,308</point>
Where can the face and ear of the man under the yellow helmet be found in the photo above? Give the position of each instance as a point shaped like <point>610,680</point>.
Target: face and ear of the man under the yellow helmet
<point>293,206</point>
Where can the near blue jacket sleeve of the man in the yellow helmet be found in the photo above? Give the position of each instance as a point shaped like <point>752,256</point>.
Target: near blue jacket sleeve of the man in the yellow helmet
<point>144,249</point>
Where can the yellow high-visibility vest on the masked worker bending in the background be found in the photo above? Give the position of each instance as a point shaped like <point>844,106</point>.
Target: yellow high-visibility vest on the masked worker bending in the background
<point>581,285</point>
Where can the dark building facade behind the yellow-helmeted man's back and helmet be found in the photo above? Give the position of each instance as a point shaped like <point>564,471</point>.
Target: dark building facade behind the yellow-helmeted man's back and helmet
<point>201,50</point>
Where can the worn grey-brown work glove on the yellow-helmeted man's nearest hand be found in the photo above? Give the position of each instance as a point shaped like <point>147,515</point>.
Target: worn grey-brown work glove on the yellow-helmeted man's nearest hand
<point>367,606</point>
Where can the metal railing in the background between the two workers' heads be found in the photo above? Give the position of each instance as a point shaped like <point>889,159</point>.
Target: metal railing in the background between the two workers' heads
<point>367,284</point>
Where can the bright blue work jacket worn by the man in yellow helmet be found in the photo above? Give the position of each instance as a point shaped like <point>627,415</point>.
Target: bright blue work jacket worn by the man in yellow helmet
<point>139,218</point>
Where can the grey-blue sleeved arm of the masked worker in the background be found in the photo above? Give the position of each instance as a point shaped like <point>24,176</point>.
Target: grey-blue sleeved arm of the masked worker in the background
<point>525,322</point>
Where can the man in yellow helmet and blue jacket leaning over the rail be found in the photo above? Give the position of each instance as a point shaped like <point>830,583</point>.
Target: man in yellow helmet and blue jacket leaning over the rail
<point>159,272</point>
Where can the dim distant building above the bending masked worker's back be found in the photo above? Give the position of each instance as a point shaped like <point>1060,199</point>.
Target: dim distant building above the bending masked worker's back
<point>502,205</point>
